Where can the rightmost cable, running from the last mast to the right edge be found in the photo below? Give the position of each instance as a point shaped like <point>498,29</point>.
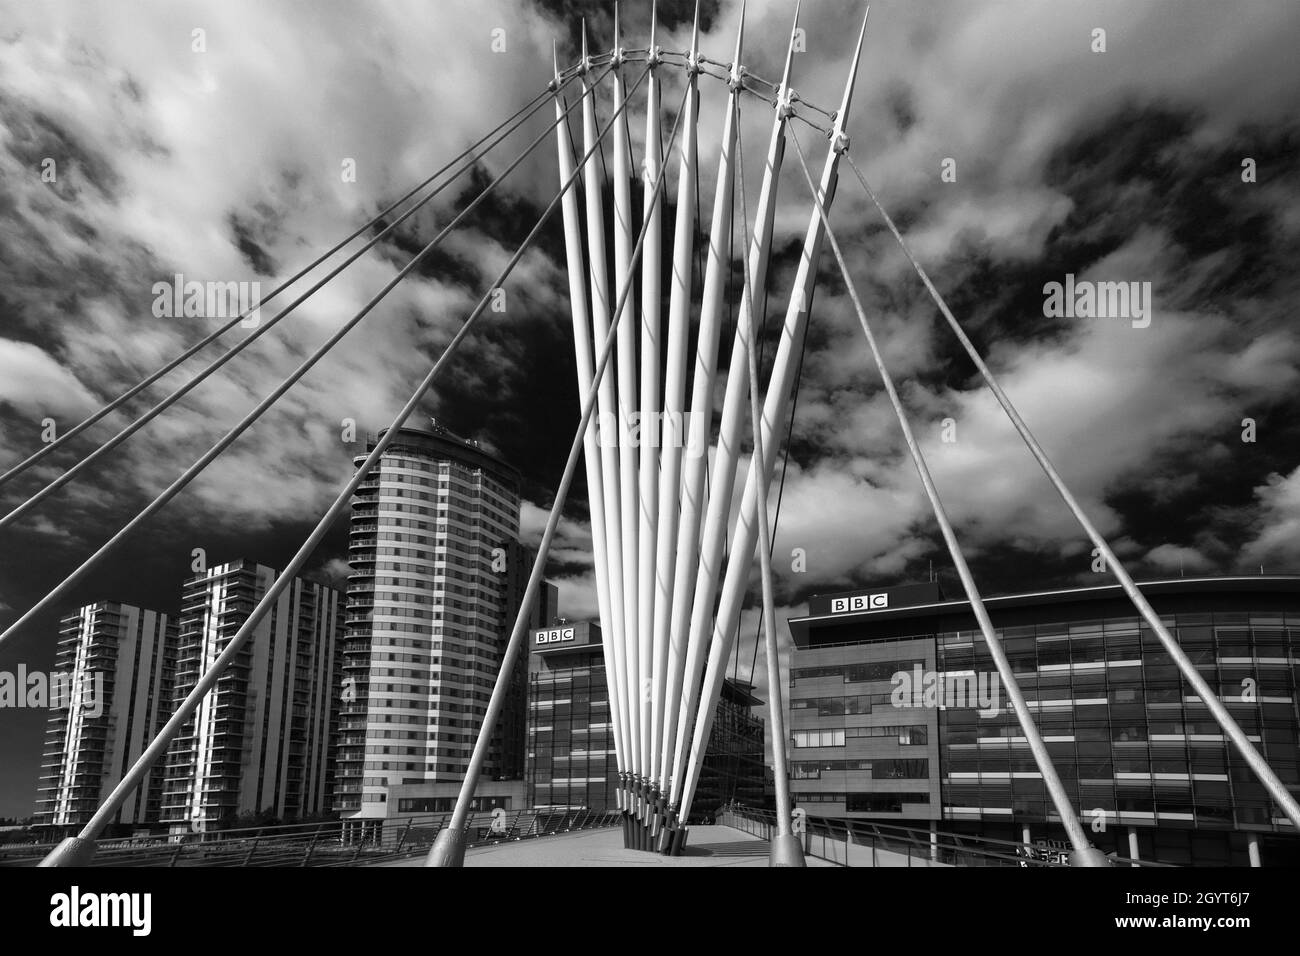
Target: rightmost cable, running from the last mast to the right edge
<point>1271,781</point>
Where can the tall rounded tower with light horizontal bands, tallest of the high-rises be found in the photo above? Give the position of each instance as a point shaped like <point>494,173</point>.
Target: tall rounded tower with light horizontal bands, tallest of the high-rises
<point>431,599</point>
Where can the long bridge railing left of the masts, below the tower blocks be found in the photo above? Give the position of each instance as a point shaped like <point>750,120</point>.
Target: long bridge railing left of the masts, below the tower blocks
<point>331,843</point>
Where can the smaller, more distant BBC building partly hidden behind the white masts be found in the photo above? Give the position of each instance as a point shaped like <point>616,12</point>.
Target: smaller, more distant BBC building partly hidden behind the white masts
<point>571,759</point>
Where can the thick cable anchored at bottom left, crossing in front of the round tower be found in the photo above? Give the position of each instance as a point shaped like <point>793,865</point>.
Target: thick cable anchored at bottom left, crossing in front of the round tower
<point>75,850</point>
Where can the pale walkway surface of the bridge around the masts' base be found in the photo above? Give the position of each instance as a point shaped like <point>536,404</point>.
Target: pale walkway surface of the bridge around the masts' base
<point>709,846</point>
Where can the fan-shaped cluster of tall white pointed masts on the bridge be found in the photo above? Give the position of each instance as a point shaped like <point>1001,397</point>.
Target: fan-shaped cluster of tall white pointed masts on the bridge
<point>660,520</point>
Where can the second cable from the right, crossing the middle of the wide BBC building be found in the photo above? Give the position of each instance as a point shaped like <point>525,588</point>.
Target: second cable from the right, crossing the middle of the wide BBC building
<point>1042,759</point>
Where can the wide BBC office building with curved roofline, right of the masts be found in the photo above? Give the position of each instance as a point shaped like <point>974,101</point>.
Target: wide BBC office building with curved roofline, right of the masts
<point>899,716</point>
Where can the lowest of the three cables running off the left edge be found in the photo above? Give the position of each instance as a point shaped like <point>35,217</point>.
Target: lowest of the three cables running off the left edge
<point>176,487</point>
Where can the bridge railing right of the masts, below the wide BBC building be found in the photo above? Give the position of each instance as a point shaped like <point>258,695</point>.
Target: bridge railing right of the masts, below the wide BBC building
<point>866,843</point>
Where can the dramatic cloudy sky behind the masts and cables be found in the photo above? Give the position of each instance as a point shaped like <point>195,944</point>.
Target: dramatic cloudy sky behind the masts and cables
<point>220,155</point>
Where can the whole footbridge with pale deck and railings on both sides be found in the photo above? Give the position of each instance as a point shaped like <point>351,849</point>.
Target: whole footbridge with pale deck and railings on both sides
<point>739,837</point>
